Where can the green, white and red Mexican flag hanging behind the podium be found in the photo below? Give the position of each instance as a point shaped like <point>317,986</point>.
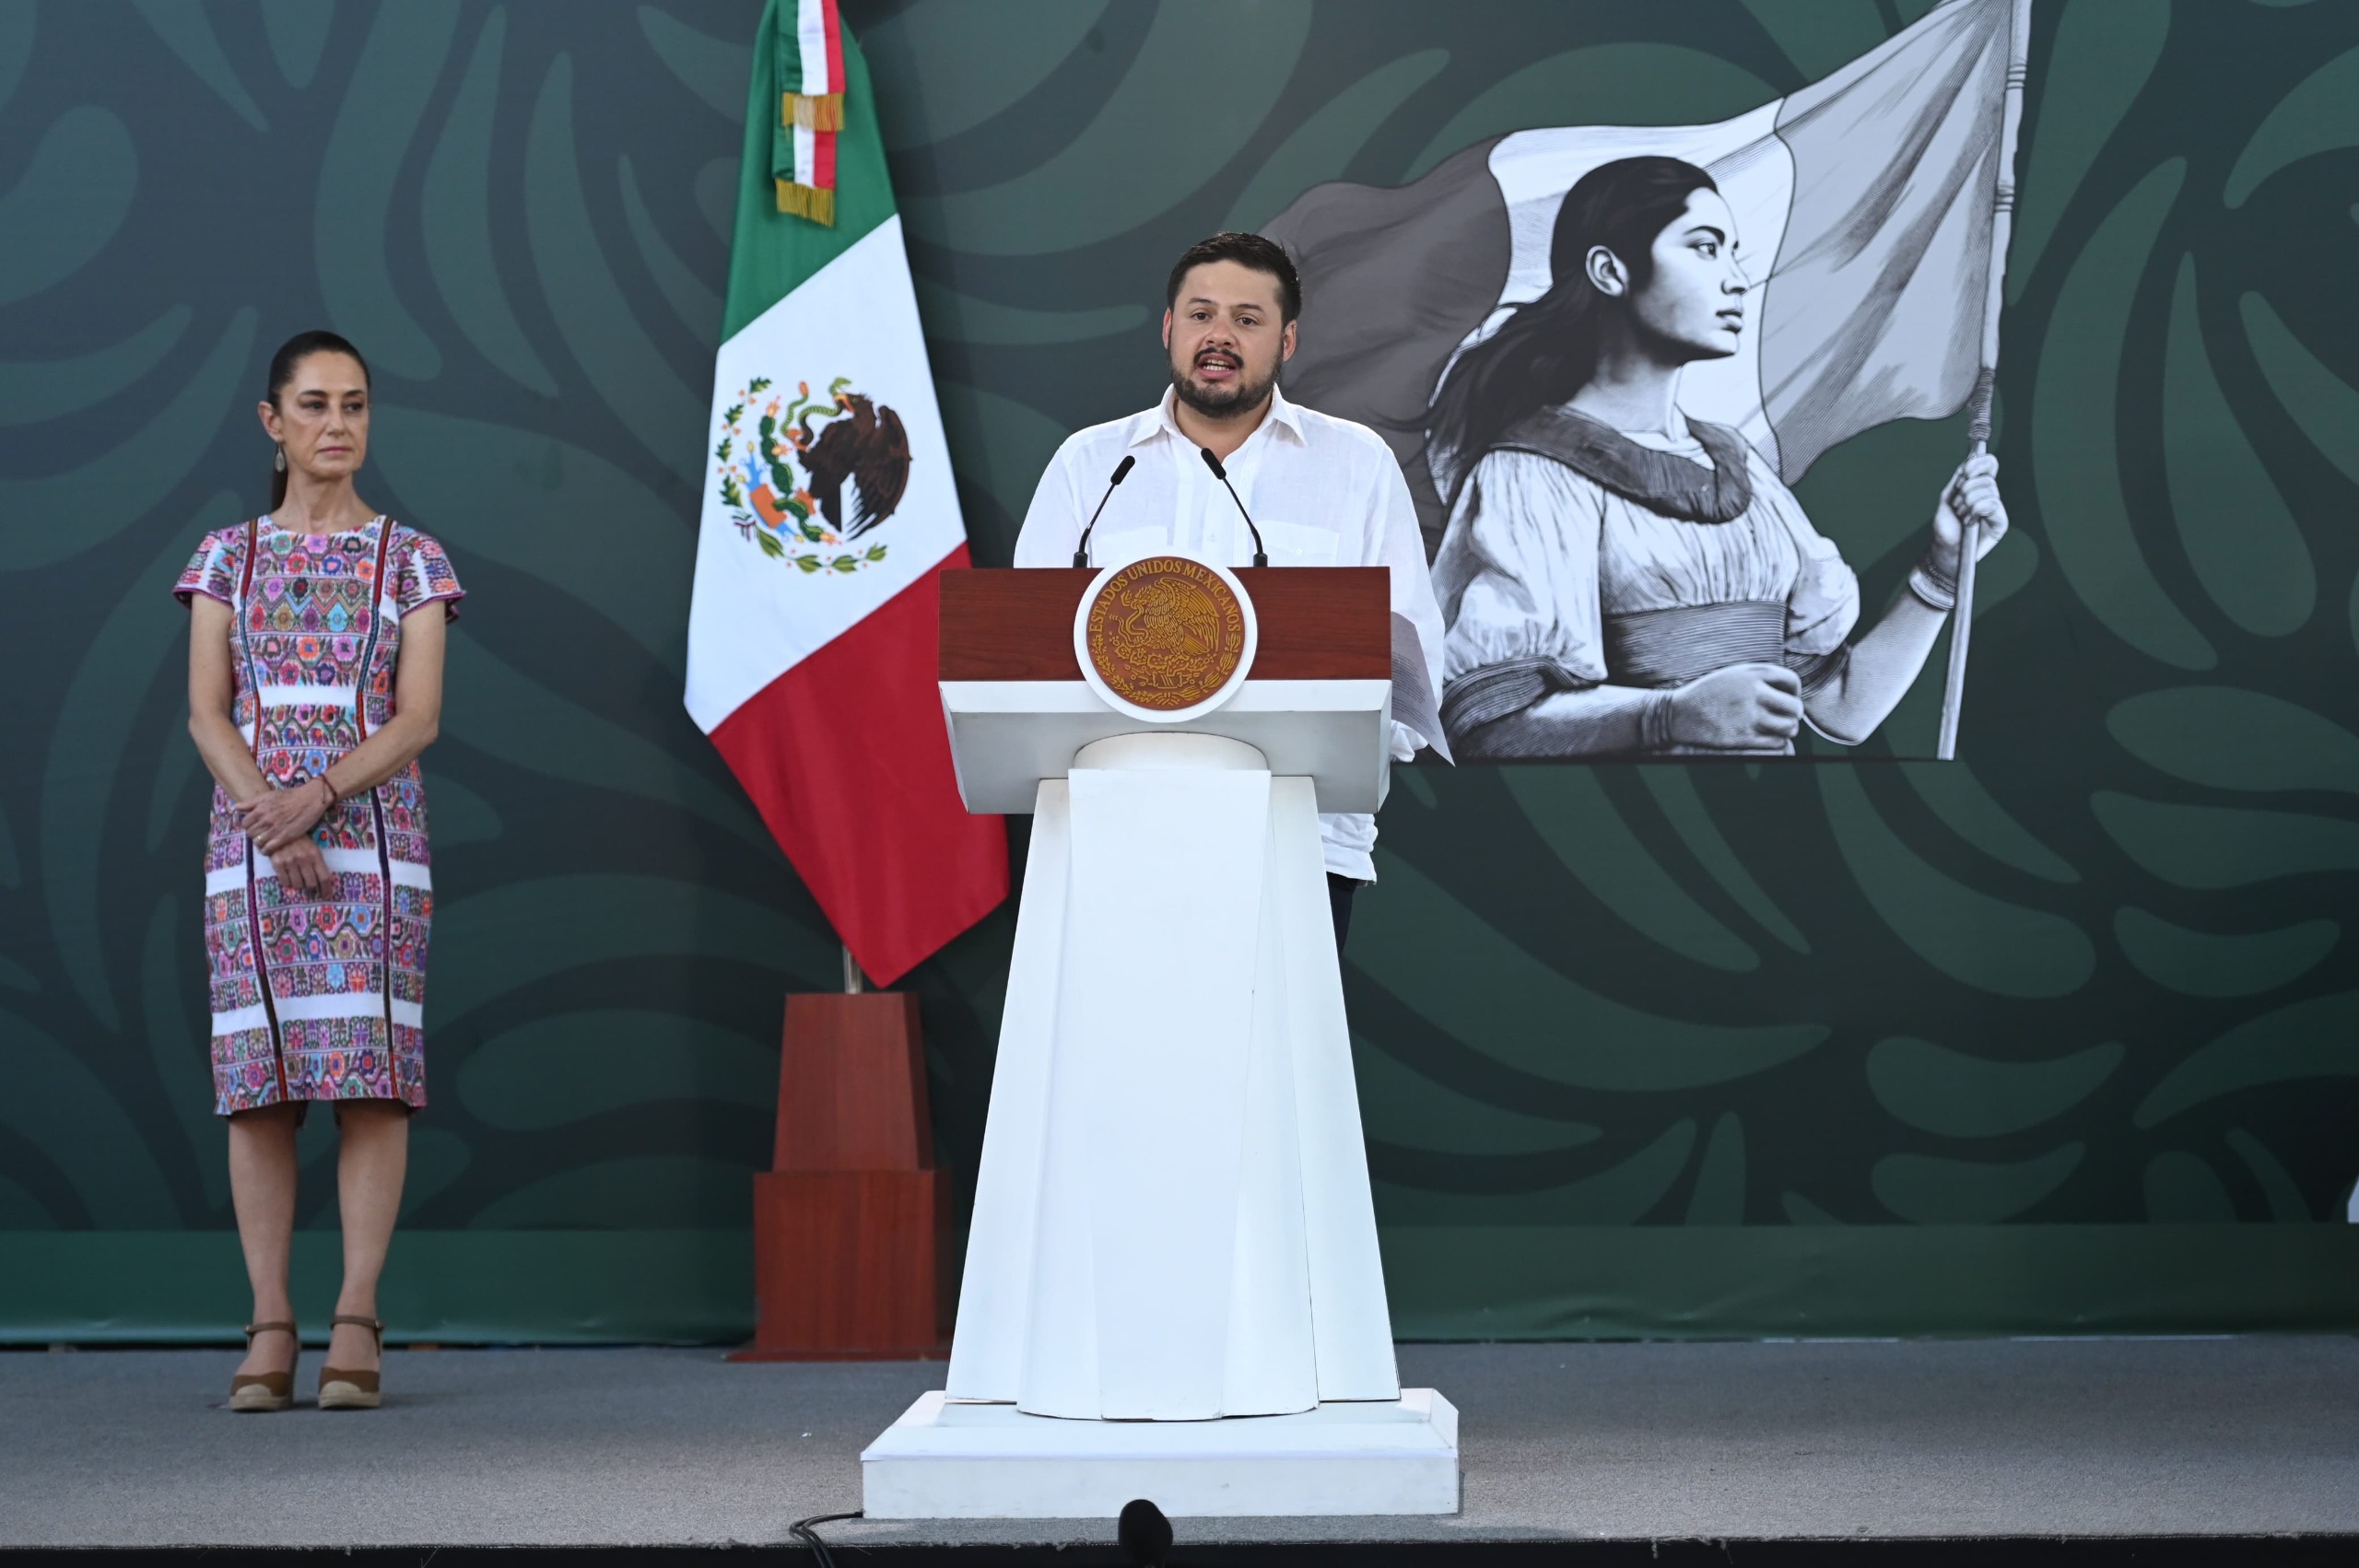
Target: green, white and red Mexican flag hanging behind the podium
<point>829,518</point>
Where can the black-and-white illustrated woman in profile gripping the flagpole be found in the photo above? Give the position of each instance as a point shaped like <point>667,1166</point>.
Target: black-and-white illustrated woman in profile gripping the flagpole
<point>1617,579</point>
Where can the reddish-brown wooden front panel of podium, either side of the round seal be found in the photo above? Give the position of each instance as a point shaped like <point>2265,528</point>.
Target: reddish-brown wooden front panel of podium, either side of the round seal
<point>1320,624</point>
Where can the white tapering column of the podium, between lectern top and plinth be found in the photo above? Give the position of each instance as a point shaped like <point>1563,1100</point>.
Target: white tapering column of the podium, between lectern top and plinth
<point>1171,1215</point>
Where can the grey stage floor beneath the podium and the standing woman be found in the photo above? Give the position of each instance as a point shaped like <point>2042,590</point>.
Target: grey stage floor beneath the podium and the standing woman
<point>1563,1442</point>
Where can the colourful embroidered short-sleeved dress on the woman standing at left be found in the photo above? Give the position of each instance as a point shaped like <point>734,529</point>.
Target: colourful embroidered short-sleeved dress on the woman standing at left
<point>320,996</point>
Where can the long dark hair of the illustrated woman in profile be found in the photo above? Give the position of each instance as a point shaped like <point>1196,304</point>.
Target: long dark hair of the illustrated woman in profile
<point>1549,348</point>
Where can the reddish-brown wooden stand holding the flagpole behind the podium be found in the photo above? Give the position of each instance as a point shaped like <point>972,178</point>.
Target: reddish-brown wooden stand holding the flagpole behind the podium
<point>850,1223</point>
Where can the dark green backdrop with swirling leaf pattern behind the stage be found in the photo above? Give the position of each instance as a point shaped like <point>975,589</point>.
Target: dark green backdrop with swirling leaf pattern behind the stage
<point>2056,1039</point>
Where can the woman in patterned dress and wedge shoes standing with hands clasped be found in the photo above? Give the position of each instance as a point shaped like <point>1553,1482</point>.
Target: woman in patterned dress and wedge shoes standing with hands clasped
<point>315,683</point>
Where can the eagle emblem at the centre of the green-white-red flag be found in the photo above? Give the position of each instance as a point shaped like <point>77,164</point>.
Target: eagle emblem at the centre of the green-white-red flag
<point>808,520</point>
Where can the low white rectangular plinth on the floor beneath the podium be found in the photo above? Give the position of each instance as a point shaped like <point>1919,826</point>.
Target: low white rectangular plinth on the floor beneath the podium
<point>954,1461</point>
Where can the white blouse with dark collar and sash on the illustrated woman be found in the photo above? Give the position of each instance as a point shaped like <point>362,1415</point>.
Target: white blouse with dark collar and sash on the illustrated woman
<point>1584,560</point>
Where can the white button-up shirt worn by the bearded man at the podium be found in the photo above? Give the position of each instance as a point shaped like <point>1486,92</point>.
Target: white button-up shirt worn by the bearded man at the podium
<point>1325,494</point>
